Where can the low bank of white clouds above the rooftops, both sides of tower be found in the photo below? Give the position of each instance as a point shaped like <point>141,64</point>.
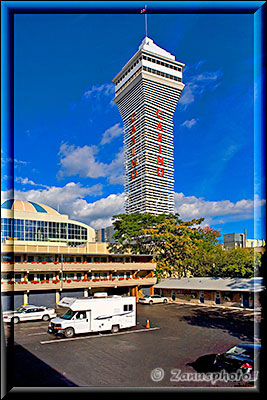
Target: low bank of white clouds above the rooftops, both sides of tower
<point>71,201</point>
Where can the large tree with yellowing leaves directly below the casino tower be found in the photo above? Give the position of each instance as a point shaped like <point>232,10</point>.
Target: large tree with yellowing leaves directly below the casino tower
<point>173,242</point>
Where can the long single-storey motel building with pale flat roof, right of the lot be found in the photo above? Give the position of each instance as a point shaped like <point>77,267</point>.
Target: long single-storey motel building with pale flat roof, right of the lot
<point>236,292</point>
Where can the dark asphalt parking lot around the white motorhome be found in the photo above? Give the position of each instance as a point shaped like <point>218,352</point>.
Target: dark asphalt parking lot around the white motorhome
<point>182,338</point>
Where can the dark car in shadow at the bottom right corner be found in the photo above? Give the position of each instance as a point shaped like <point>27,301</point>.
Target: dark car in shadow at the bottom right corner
<point>242,356</point>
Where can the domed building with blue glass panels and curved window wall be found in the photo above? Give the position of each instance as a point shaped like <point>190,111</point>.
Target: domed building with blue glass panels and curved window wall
<point>23,220</point>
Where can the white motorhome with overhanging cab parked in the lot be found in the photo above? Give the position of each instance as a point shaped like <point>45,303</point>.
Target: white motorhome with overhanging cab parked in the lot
<point>94,314</point>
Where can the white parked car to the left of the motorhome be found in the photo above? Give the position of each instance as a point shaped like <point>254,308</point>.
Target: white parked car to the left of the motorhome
<point>29,313</point>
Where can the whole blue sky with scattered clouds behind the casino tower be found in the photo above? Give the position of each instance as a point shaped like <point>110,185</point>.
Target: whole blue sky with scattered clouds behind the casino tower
<point>68,132</point>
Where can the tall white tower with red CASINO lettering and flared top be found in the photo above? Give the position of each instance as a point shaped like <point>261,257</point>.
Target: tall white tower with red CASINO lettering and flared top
<point>147,90</point>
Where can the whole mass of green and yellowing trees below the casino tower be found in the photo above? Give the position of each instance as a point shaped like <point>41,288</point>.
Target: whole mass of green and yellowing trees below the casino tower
<point>181,248</point>
